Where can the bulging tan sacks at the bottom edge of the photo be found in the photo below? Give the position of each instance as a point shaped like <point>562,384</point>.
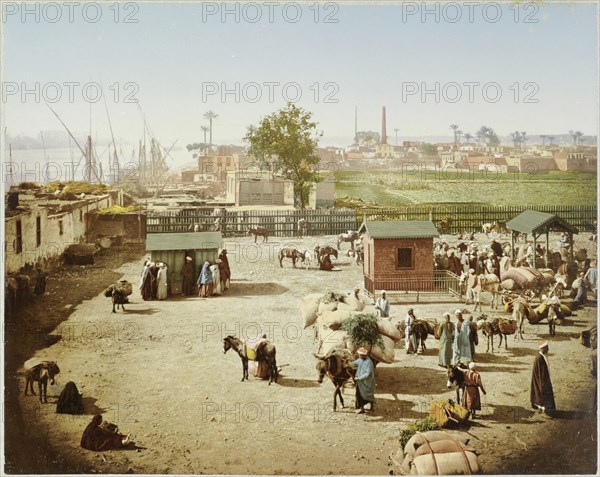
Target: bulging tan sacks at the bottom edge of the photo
<point>435,453</point>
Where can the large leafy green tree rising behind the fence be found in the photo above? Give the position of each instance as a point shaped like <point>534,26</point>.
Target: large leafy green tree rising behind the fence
<point>287,140</point>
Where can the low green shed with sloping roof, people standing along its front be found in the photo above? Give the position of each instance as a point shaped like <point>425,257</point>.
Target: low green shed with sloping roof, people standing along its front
<point>172,248</point>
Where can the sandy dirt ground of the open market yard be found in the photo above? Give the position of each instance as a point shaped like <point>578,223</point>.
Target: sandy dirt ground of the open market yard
<point>158,371</point>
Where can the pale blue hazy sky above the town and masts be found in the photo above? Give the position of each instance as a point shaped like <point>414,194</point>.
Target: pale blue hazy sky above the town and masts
<point>528,66</point>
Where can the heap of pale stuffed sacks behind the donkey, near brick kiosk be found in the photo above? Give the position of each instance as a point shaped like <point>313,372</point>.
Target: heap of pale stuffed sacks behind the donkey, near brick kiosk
<point>328,312</point>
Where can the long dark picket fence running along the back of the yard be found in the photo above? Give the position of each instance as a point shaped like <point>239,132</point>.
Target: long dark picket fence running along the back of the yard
<point>284,223</point>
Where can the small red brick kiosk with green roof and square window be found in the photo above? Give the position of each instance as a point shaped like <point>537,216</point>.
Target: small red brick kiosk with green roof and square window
<point>398,255</point>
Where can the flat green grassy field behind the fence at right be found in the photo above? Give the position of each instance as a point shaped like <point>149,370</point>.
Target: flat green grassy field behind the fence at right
<point>390,188</point>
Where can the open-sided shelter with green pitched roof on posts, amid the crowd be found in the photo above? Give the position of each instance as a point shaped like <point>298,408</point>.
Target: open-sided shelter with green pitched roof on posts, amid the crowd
<point>540,223</point>
